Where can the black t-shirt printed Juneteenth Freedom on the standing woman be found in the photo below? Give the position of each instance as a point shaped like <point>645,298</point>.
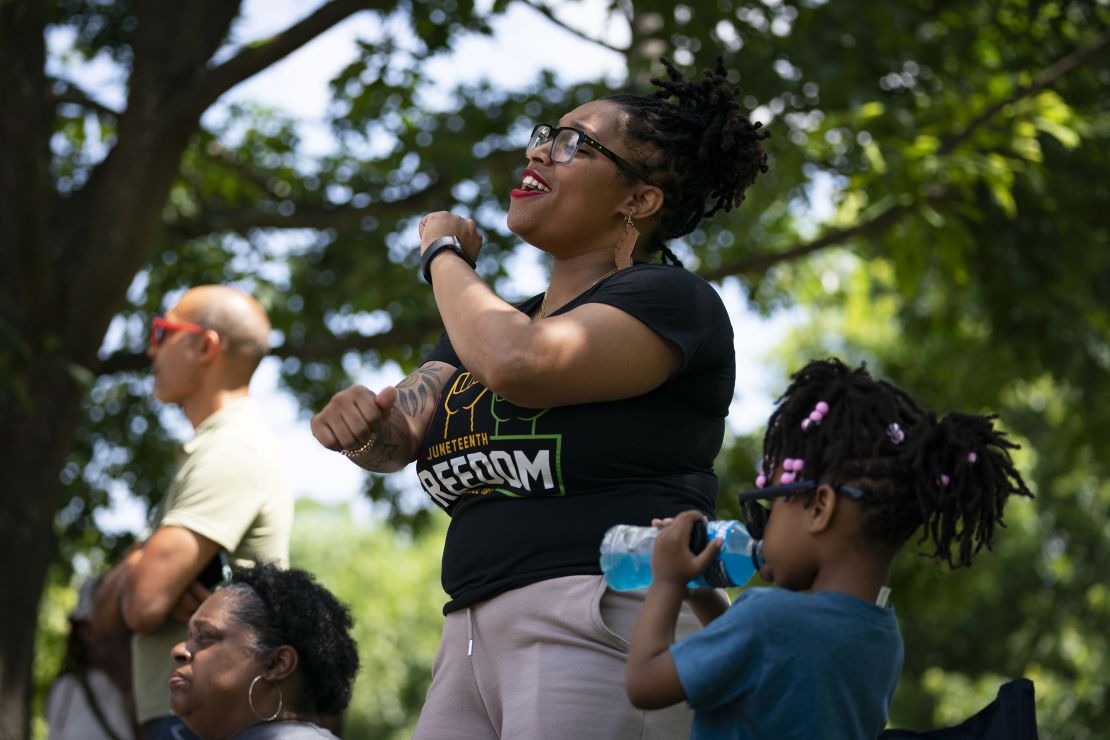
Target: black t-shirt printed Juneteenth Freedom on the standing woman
<point>531,492</point>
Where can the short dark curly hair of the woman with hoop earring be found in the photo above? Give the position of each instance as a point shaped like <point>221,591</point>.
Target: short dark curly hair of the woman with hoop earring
<point>289,607</point>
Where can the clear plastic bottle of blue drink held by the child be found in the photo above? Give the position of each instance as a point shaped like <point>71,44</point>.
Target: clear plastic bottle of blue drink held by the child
<point>627,555</point>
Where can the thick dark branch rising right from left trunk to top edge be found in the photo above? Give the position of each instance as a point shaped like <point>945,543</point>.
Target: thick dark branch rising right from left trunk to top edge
<point>255,58</point>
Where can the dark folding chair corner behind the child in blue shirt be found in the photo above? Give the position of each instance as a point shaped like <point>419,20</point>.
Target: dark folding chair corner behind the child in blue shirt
<point>1012,716</point>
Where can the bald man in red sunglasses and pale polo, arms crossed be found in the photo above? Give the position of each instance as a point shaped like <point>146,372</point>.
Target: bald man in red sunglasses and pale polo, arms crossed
<point>229,500</point>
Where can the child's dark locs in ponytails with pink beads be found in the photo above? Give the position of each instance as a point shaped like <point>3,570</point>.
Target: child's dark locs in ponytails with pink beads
<point>951,477</point>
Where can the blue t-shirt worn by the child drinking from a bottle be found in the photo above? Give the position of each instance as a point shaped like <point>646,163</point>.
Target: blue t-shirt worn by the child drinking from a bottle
<point>782,665</point>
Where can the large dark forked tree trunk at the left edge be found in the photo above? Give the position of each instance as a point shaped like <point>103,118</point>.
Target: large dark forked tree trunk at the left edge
<point>67,263</point>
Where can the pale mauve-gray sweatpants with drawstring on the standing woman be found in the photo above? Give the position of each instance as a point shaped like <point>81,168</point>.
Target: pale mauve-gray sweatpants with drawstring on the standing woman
<point>546,662</point>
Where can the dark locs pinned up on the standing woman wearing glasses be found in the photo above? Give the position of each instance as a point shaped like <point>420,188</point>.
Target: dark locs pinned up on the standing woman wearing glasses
<point>703,153</point>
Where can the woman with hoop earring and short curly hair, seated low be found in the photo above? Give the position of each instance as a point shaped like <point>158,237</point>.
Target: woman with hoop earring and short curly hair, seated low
<point>269,657</point>
